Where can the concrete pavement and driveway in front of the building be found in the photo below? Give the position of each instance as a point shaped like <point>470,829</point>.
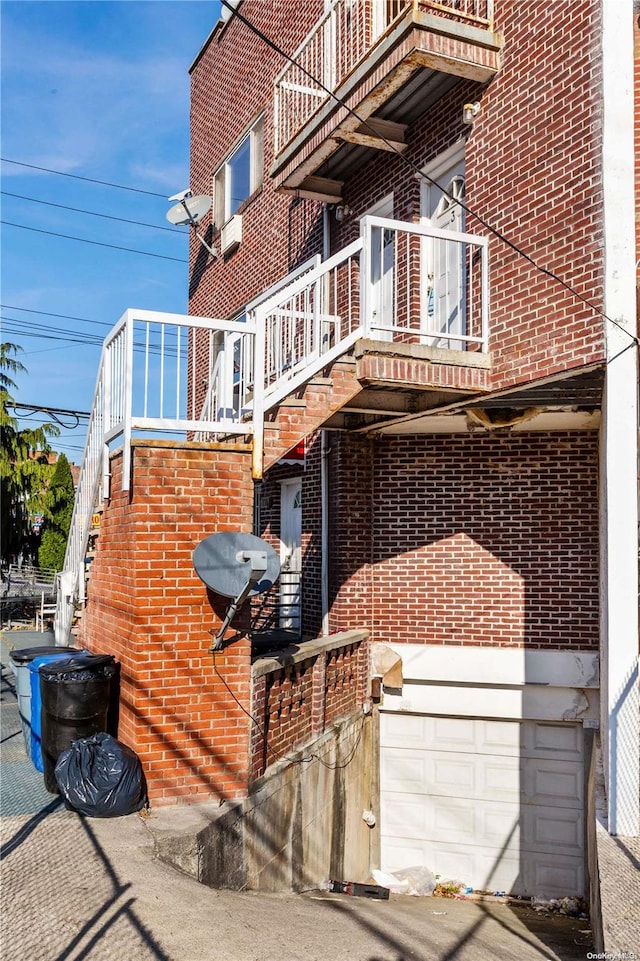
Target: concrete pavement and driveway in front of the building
<point>87,889</point>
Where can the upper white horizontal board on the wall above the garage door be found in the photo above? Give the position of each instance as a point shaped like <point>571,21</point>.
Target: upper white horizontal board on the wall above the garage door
<point>513,667</point>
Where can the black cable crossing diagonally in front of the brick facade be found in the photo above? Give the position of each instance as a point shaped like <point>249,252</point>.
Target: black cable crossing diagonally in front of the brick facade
<point>420,173</point>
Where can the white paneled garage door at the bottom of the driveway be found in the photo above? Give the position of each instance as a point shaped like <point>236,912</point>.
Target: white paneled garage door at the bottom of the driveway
<point>495,804</point>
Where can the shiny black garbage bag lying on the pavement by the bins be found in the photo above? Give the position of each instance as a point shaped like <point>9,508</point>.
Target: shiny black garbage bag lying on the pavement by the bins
<point>100,777</point>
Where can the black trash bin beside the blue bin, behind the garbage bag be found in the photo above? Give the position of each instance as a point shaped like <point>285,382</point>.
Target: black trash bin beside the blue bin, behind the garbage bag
<point>76,695</point>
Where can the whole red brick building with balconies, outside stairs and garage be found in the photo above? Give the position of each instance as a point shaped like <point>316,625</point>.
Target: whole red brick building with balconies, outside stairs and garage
<point>424,235</point>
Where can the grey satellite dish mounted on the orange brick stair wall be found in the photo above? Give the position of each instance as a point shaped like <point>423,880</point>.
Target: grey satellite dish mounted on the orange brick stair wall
<point>236,566</point>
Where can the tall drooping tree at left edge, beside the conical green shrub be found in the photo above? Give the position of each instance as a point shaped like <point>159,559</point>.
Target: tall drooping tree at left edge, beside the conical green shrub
<point>24,462</point>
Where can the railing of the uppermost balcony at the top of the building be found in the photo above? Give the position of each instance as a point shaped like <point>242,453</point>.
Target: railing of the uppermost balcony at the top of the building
<point>339,42</point>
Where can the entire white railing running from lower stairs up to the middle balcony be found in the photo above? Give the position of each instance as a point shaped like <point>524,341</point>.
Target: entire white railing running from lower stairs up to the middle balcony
<point>173,375</point>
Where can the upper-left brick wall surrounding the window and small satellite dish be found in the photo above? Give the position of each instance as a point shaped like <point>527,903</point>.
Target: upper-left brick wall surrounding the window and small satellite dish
<point>231,83</point>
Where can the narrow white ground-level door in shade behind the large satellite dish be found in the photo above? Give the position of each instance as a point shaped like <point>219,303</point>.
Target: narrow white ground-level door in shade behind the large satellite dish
<point>290,554</point>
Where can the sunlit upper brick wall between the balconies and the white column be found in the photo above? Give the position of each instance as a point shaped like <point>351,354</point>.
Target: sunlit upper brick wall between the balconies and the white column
<point>534,164</point>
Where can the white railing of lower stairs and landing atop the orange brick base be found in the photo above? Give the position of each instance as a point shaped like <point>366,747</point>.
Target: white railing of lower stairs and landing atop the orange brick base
<point>152,370</point>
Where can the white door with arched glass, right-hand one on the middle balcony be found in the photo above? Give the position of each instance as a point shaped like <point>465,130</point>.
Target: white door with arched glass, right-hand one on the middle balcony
<point>444,295</point>
